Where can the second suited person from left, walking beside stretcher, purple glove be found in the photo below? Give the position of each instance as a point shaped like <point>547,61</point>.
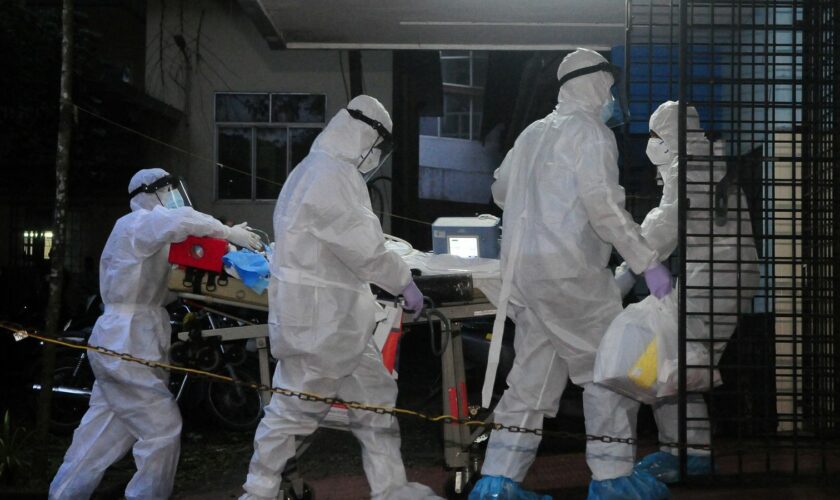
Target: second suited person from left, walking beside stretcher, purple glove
<point>330,248</point>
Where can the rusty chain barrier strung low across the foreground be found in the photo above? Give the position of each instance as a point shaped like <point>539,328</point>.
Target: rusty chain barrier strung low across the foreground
<point>21,333</point>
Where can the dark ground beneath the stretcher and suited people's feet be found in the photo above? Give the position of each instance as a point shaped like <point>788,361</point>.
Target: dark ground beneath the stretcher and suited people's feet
<point>214,462</point>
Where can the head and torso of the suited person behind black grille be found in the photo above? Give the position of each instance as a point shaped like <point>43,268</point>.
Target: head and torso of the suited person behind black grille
<point>721,257</point>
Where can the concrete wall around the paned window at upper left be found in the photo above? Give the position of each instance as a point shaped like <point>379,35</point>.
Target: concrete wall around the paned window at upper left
<point>233,57</point>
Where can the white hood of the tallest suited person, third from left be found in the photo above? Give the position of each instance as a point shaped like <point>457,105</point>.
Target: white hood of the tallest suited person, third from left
<point>589,92</point>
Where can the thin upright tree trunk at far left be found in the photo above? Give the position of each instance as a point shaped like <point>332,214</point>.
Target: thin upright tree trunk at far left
<point>62,164</point>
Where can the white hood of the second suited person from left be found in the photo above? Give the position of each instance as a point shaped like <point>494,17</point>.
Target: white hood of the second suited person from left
<point>348,139</point>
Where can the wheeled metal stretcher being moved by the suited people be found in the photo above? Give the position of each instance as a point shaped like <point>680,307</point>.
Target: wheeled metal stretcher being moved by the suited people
<point>206,287</point>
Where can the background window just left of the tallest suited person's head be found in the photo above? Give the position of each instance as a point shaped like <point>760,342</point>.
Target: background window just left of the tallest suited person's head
<point>463,73</point>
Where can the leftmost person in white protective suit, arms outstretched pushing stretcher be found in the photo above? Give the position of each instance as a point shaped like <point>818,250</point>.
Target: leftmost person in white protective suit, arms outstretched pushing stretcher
<point>131,407</point>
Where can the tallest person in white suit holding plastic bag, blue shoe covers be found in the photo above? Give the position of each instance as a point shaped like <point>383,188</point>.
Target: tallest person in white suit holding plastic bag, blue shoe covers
<point>563,209</point>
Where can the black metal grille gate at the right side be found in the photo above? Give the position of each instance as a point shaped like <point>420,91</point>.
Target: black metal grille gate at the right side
<point>765,79</point>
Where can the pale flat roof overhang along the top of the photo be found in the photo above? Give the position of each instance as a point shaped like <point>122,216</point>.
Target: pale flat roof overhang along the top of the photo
<point>439,24</point>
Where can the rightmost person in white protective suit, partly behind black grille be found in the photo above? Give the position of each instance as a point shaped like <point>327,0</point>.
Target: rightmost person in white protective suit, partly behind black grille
<point>727,272</point>
